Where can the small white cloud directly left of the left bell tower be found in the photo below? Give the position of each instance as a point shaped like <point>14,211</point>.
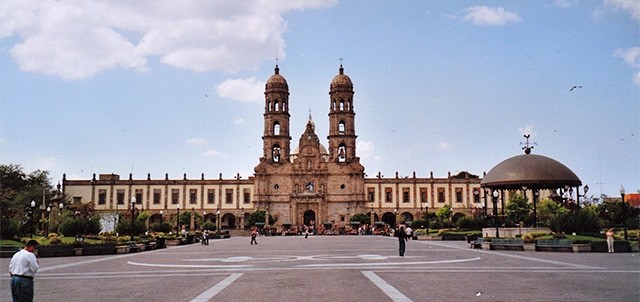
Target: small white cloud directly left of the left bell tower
<point>245,90</point>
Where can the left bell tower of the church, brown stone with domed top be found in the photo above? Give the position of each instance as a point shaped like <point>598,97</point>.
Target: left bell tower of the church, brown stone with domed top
<point>276,138</point>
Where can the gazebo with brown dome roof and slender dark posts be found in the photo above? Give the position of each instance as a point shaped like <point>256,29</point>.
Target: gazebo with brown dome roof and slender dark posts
<point>528,172</point>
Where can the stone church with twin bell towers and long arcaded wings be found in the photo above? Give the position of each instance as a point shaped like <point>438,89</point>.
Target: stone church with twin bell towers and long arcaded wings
<point>310,185</point>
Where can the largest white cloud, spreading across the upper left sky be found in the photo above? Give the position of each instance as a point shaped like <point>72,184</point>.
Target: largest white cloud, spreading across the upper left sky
<point>78,39</point>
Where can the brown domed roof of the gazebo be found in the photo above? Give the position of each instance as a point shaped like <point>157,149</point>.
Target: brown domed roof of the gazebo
<point>533,171</point>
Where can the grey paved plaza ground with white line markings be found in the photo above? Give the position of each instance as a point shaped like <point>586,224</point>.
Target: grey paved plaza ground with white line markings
<point>335,268</point>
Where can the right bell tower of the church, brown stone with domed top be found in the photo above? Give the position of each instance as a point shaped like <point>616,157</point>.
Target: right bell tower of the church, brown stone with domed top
<point>342,132</point>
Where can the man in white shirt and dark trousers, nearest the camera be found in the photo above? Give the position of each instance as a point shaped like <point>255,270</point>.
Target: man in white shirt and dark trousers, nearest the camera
<point>22,269</point>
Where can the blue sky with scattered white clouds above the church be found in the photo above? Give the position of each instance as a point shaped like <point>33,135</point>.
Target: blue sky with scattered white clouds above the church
<point>440,86</point>
